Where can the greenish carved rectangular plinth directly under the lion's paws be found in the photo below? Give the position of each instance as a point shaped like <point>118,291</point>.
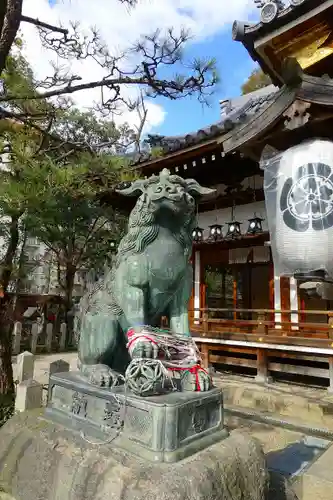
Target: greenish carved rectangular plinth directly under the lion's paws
<point>163,428</point>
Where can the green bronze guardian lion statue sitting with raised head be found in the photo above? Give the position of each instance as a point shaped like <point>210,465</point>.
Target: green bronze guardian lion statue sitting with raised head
<point>152,276</point>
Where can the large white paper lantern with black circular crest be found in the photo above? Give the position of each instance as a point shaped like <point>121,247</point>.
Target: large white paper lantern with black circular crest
<point>299,203</point>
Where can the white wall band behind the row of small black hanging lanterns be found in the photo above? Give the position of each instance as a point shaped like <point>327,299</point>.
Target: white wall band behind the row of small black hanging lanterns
<point>241,213</point>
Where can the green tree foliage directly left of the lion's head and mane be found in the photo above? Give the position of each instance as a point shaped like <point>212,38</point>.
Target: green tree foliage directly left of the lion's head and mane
<point>69,219</point>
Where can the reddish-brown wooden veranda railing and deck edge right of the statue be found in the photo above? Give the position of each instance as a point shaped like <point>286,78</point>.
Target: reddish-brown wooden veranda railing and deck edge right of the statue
<point>258,339</point>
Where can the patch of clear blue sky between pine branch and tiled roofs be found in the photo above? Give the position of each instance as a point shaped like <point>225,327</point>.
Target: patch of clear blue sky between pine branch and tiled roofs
<point>234,66</point>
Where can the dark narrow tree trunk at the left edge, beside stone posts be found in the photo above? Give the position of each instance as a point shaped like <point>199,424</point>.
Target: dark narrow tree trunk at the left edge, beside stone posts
<point>7,391</point>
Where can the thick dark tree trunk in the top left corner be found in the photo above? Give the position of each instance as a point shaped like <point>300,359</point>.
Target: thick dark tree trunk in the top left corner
<point>10,18</point>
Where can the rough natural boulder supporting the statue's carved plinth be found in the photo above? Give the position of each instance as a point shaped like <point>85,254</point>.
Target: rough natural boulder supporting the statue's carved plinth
<point>41,460</point>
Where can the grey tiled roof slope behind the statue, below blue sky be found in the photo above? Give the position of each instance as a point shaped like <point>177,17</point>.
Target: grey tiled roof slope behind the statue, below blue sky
<point>242,109</point>
